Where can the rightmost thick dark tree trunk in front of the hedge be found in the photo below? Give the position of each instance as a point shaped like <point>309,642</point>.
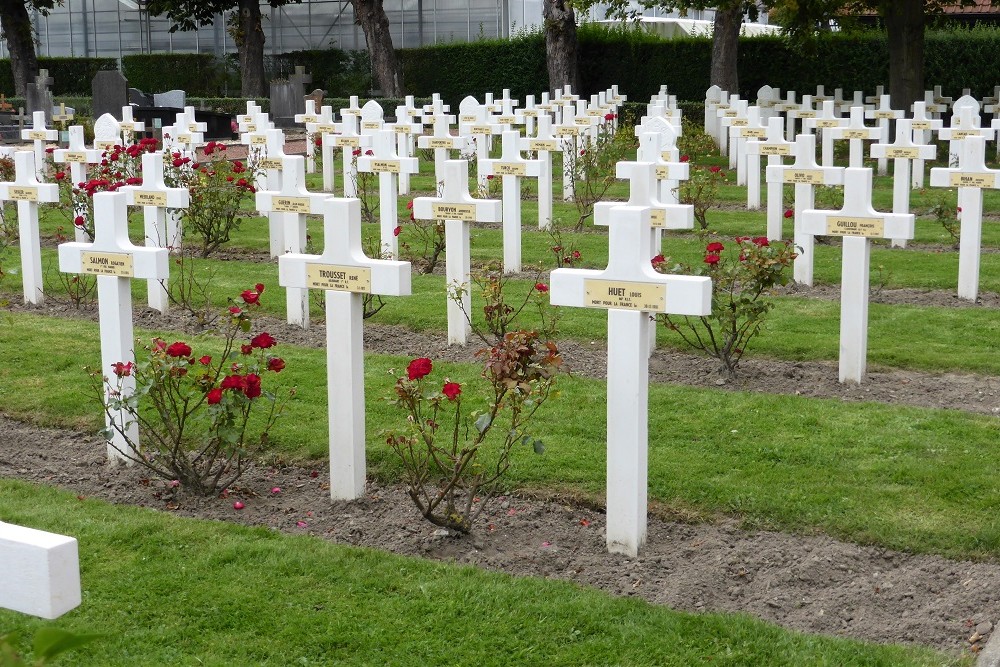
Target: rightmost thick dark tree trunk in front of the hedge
<point>904,23</point>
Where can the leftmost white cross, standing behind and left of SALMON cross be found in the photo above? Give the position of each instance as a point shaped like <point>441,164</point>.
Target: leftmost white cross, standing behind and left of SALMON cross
<point>28,191</point>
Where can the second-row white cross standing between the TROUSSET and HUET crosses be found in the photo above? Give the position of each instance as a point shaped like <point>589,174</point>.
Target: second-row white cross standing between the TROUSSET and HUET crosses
<point>457,208</point>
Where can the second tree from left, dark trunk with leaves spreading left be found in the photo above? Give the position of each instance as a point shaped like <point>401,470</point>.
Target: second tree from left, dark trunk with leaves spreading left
<point>246,28</point>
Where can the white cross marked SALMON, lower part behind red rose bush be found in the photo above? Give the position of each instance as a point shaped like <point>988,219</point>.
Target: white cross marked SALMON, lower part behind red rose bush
<point>115,261</point>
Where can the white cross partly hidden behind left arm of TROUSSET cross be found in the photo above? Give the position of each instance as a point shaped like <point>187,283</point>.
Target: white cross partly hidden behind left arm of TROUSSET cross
<point>293,202</point>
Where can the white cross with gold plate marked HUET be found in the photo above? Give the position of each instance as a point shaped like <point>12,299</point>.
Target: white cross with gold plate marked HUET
<point>631,291</point>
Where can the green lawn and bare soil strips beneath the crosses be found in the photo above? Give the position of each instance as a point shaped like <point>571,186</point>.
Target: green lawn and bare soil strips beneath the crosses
<point>864,512</point>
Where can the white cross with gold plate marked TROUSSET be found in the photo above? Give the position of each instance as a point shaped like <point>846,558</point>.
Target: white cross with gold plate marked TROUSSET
<point>345,274</point>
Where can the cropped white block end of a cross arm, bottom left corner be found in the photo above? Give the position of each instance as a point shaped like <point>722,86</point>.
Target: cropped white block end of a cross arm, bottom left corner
<point>41,571</point>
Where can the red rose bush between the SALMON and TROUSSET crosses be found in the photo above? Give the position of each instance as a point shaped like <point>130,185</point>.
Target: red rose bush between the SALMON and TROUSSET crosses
<point>201,416</point>
